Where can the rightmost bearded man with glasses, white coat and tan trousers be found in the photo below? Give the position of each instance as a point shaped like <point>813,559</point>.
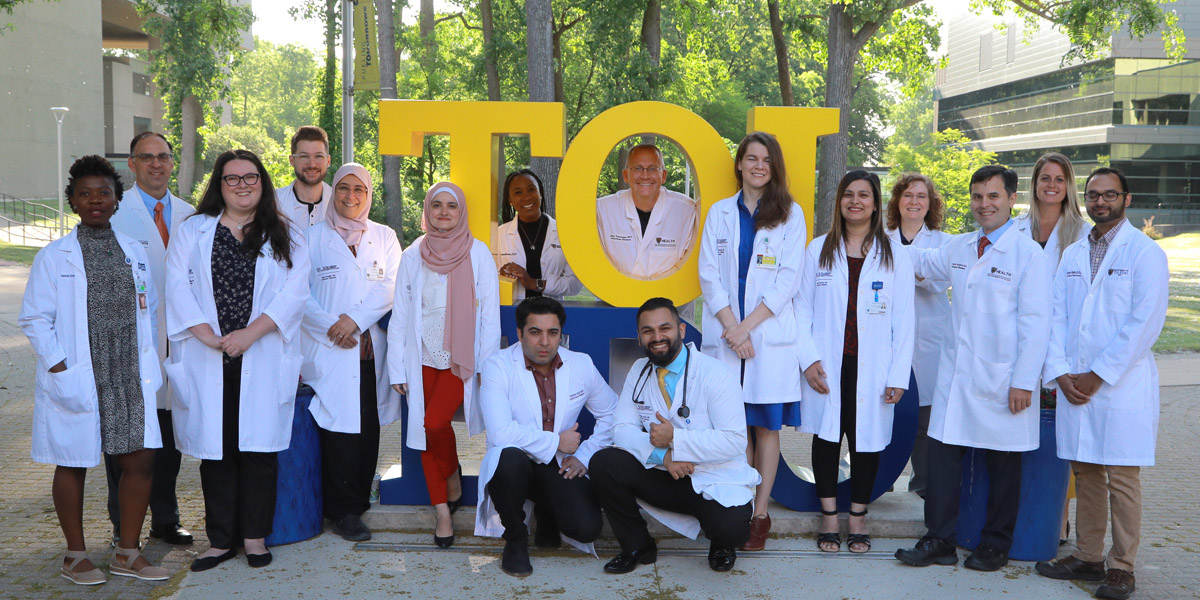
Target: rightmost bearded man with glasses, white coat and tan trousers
<point>1109,307</point>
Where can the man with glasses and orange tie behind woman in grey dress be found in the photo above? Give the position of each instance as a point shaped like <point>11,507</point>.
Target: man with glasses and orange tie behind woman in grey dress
<point>152,218</point>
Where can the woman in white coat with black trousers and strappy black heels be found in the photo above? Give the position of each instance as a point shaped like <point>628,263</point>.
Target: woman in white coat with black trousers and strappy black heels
<point>856,309</point>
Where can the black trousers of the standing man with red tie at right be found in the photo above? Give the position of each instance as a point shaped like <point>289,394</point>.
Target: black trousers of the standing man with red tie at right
<point>945,483</point>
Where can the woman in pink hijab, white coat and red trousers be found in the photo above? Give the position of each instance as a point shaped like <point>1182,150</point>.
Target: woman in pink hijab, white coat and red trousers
<point>446,322</point>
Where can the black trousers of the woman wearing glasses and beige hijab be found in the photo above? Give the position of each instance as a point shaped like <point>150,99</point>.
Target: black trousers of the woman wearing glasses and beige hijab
<point>349,460</point>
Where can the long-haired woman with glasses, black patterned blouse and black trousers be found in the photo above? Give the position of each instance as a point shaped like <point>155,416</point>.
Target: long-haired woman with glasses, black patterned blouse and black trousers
<point>239,279</point>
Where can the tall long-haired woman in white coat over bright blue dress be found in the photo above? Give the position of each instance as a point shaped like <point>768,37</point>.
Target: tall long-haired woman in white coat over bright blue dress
<point>751,259</point>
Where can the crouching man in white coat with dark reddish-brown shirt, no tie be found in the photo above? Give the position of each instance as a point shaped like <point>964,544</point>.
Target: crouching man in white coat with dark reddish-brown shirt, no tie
<point>531,399</point>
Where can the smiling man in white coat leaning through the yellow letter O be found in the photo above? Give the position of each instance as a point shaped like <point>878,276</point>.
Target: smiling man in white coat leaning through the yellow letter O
<point>647,231</point>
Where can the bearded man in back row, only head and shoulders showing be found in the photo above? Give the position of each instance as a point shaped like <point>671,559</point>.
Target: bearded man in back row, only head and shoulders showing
<point>307,200</point>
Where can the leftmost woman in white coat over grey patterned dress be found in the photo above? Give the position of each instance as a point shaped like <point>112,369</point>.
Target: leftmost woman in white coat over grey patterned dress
<point>89,313</point>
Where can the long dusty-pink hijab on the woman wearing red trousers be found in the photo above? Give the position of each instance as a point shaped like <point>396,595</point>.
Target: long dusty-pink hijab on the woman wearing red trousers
<point>449,253</point>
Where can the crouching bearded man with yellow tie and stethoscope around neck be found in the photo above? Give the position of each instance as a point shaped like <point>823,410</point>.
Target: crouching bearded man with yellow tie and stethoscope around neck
<point>680,436</point>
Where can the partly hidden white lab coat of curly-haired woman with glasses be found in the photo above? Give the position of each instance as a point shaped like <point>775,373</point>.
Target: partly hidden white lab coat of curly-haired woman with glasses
<point>933,310</point>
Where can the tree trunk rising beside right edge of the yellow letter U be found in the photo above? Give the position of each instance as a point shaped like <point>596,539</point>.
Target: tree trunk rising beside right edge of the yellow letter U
<point>833,149</point>
